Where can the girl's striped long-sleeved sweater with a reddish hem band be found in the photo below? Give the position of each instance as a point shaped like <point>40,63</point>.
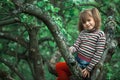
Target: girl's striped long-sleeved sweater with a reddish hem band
<point>90,47</point>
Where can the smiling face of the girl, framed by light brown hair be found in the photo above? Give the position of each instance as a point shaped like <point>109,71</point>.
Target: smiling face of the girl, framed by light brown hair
<point>89,24</point>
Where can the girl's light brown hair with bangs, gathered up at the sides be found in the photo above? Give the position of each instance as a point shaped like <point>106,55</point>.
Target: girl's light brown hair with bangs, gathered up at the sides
<point>89,13</point>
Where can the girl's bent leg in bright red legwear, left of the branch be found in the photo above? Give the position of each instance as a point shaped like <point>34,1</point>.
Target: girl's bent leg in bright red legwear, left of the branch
<point>63,71</point>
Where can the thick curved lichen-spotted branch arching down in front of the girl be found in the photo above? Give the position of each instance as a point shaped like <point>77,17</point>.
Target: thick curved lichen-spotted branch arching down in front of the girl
<point>37,12</point>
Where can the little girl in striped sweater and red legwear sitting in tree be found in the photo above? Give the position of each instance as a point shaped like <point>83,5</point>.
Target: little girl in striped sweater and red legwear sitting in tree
<point>89,46</point>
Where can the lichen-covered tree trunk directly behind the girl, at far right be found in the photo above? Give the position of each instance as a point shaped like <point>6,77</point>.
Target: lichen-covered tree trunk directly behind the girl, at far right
<point>110,27</point>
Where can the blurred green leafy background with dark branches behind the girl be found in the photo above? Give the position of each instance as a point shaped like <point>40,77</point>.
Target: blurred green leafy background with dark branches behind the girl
<point>23,37</point>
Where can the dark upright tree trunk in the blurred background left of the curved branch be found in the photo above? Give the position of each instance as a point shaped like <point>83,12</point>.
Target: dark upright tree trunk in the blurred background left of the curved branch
<point>34,54</point>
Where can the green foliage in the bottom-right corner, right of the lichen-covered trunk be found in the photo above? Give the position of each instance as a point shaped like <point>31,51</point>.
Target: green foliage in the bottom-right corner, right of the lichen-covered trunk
<point>113,67</point>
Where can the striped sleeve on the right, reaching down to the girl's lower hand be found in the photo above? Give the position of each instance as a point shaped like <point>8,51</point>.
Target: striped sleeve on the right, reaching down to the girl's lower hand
<point>100,46</point>
